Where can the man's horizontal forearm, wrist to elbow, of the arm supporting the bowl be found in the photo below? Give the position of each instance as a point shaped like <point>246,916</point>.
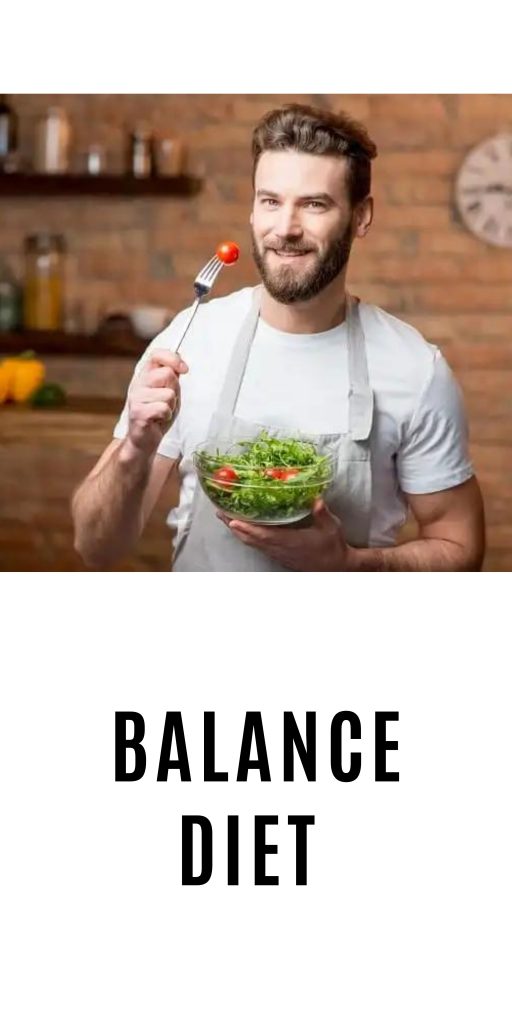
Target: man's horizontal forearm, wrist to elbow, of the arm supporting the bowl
<point>424,556</point>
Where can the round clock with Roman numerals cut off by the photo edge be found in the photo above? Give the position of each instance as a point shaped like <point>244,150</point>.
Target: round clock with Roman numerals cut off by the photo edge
<point>484,191</point>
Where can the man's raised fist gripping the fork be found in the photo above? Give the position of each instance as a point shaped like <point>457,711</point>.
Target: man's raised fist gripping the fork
<point>154,400</point>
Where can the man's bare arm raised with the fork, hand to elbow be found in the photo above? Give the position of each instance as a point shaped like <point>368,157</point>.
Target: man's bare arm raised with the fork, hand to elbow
<point>111,507</point>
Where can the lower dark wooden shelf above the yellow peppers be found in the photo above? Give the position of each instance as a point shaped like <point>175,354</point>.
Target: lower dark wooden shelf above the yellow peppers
<point>61,344</point>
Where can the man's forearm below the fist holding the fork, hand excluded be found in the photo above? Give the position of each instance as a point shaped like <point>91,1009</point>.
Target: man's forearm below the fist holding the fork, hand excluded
<point>108,507</point>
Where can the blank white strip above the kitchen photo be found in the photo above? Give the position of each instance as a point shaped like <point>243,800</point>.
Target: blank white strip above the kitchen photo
<point>268,48</point>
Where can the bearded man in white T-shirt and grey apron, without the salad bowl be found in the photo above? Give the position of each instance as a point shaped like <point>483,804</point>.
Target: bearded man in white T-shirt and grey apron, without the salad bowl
<point>297,356</point>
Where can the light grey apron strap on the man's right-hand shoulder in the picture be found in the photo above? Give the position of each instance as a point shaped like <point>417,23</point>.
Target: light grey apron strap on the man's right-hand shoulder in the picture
<point>361,397</point>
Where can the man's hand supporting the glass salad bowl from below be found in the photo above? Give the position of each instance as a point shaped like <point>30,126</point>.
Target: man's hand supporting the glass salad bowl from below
<point>318,548</point>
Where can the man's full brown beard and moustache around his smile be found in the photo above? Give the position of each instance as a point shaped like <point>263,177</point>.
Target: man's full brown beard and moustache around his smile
<point>289,285</point>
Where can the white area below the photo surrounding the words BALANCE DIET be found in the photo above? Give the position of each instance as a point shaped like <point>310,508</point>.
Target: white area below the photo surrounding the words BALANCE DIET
<point>406,913</point>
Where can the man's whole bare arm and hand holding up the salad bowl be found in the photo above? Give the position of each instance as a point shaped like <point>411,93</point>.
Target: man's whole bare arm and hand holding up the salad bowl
<point>452,539</point>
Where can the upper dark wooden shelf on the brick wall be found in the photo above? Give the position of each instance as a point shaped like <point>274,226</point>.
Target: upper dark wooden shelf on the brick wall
<point>40,186</point>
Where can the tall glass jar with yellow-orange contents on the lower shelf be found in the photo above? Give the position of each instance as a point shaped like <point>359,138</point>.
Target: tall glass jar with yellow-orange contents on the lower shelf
<point>44,297</point>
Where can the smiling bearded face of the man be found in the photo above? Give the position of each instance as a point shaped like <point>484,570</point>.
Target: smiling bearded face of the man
<point>302,223</point>
